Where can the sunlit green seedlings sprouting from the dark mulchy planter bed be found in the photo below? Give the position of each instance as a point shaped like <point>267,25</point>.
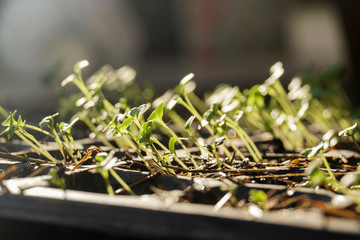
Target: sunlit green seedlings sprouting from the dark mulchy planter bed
<point>162,131</point>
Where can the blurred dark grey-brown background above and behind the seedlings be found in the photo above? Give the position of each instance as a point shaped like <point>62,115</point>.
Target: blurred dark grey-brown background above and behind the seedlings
<point>228,41</point>
